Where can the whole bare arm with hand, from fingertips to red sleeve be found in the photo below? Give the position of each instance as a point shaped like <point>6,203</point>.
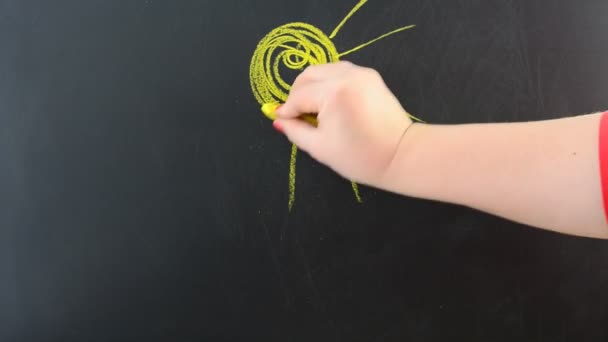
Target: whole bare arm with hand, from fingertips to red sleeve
<point>545,174</point>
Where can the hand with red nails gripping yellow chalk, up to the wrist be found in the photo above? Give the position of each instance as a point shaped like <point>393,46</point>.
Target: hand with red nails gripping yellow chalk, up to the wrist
<point>361,123</point>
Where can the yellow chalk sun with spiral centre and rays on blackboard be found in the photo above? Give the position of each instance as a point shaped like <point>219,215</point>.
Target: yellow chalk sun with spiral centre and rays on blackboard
<point>295,46</point>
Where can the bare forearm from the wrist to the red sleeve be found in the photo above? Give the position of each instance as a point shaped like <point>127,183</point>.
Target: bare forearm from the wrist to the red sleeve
<point>545,174</point>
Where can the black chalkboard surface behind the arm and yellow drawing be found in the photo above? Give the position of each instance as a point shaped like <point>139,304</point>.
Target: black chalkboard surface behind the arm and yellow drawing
<point>144,195</point>
